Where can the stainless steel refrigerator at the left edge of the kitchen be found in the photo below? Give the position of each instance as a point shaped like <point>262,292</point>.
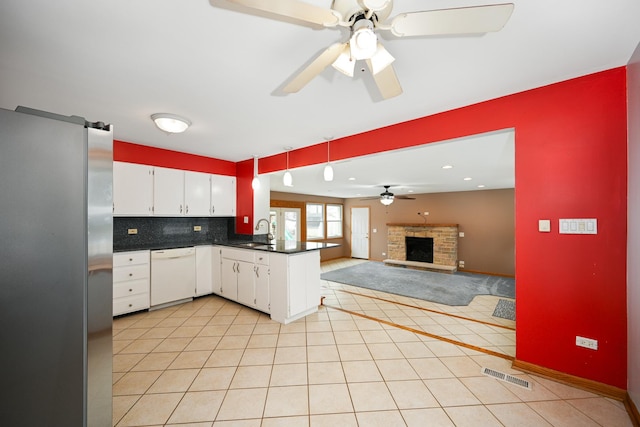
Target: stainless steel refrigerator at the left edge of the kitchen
<point>56,246</point>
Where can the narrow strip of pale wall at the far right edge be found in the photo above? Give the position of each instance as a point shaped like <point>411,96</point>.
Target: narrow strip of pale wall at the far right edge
<point>633,233</point>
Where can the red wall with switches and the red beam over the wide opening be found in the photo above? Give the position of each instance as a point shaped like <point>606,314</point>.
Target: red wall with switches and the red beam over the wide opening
<point>571,162</point>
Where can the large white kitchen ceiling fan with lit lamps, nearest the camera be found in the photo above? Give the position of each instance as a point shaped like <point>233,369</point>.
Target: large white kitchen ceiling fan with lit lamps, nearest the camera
<point>364,18</point>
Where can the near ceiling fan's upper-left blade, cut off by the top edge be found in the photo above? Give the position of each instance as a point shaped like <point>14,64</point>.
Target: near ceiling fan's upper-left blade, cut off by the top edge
<point>295,9</point>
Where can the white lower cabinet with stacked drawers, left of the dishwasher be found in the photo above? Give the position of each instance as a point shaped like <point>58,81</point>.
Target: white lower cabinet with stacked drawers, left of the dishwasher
<point>131,272</point>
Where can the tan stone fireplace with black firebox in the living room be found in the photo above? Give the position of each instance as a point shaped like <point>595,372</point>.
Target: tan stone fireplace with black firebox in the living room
<point>445,245</point>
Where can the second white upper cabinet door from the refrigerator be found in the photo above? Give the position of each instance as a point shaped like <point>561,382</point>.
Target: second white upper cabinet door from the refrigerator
<point>168,192</point>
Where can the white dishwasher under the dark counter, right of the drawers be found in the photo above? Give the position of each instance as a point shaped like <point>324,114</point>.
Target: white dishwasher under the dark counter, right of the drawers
<point>173,276</point>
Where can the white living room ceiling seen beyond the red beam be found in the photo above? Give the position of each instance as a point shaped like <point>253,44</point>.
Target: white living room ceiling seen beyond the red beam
<point>487,159</point>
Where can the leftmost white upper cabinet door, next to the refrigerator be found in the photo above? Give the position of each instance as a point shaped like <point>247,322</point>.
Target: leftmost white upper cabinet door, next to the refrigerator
<point>132,189</point>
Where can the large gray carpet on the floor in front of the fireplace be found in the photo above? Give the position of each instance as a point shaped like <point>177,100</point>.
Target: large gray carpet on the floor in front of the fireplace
<point>450,289</point>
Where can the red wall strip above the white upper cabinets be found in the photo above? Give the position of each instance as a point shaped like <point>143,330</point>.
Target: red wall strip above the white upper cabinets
<point>142,154</point>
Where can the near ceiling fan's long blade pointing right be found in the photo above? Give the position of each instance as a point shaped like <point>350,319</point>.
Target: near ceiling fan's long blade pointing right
<point>463,20</point>
